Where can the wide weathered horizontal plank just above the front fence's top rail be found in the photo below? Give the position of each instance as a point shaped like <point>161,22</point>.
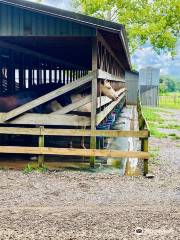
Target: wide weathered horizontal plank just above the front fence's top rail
<point>47,119</point>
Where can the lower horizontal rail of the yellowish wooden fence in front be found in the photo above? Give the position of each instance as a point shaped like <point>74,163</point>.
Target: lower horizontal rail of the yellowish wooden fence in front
<point>73,152</point>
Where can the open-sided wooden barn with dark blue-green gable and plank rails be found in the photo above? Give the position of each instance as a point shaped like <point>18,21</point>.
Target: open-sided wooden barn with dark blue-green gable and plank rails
<point>41,44</point>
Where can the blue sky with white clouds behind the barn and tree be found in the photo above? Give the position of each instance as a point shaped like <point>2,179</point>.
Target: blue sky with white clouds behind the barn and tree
<point>143,57</point>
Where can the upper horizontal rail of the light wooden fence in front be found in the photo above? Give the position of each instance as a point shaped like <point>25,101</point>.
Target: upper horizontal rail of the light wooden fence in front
<point>73,132</point>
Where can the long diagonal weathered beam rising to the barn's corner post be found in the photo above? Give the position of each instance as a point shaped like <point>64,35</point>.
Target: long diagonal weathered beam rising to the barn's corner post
<point>54,94</point>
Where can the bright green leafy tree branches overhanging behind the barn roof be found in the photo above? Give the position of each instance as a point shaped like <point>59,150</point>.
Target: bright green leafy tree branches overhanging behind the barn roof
<point>156,21</point>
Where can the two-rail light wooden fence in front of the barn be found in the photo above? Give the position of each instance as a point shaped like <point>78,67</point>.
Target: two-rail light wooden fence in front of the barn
<point>41,132</point>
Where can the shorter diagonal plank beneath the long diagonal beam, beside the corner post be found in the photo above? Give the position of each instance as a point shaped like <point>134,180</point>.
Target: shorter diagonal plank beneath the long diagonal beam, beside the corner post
<point>73,106</point>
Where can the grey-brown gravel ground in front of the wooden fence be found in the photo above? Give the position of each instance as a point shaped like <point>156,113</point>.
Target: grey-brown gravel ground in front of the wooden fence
<point>83,205</point>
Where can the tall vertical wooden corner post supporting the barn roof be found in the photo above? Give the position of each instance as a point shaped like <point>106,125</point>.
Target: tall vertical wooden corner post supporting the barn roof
<point>94,99</point>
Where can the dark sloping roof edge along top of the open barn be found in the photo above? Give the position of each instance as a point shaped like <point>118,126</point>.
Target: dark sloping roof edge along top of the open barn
<point>95,23</point>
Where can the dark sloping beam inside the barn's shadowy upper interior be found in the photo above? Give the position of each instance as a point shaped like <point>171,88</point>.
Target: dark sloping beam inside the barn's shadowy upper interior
<point>36,54</point>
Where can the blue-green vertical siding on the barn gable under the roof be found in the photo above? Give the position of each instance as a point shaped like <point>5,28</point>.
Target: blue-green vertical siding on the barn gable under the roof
<point>15,21</point>
